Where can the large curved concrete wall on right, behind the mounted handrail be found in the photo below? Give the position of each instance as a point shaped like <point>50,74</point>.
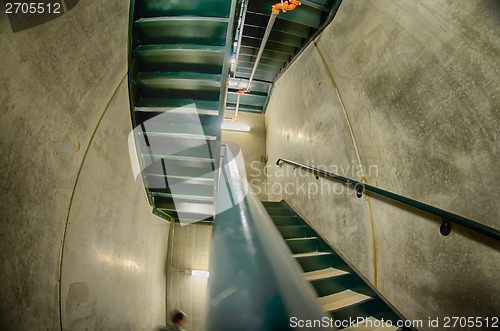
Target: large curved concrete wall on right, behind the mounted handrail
<point>419,84</point>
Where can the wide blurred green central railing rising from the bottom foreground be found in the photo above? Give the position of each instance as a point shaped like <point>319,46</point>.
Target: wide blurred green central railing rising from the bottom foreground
<point>254,282</point>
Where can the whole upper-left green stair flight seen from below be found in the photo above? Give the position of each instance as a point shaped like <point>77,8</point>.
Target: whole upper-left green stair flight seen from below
<point>179,55</point>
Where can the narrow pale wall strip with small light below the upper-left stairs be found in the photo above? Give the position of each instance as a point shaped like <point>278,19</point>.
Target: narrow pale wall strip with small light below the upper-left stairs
<point>189,249</point>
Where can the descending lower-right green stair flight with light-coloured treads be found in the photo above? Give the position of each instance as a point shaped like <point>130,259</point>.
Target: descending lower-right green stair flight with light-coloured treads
<point>342,291</point>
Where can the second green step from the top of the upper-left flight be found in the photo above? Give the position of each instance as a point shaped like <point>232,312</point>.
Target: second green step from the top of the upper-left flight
<point>182,30</point>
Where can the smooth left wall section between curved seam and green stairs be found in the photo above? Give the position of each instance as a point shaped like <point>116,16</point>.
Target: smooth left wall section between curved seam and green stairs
<point>115,251</point>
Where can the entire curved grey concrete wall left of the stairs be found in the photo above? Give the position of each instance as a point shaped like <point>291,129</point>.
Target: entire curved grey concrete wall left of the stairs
<point>63,138</point>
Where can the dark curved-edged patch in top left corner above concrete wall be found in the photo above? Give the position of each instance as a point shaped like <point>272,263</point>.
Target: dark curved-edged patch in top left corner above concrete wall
<point>26,15</point>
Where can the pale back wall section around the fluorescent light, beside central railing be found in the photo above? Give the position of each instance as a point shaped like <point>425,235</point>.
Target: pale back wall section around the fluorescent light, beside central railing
<point>253,146</point>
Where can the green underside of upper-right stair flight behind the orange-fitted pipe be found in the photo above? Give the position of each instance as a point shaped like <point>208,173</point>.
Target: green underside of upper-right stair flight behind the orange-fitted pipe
<point>290,34</point>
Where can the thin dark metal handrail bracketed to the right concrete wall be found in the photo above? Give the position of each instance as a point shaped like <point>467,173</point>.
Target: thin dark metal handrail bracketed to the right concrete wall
<point>446,216</point>
